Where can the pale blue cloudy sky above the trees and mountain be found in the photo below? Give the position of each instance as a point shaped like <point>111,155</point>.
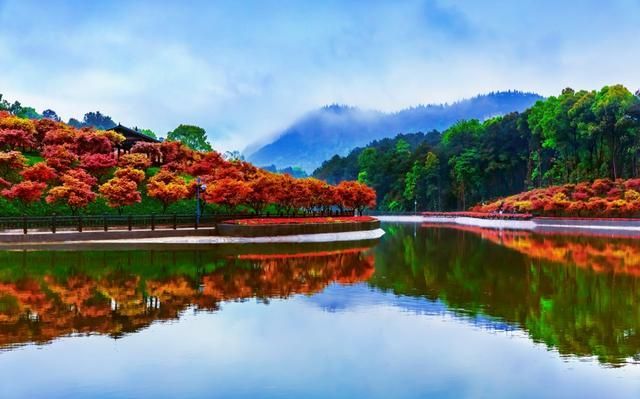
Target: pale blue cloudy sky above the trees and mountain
<point>245,69</point>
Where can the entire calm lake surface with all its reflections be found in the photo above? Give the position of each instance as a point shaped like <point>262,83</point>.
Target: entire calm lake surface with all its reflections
<point>426,312</point>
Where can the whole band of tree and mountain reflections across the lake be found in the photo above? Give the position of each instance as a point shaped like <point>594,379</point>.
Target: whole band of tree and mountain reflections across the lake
<point>578,295</point>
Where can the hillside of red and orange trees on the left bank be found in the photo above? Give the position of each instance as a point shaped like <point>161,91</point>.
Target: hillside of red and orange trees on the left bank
<point>49,167</point>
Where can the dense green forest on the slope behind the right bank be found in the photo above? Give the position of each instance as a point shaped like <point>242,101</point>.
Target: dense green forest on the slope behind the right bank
<point>576,136</point>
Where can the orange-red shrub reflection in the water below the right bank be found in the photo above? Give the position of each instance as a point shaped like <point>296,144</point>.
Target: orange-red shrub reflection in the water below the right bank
<point>610,254</point>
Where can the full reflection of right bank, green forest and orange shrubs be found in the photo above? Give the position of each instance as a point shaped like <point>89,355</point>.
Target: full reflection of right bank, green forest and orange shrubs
<point>548,292</point>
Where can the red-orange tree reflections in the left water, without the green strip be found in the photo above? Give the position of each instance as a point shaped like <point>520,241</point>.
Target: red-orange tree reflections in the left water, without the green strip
<point>44,309</point>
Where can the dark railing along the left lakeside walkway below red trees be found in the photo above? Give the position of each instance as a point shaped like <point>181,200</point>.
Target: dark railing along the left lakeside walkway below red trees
<point>81,223</point>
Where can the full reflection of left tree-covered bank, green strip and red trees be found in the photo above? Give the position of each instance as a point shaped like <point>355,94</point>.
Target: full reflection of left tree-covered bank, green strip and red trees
<point>47,295</point>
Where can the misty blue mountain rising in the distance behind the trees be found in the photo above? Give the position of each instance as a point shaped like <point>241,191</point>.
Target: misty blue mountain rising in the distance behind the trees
<point>337,129</point>
